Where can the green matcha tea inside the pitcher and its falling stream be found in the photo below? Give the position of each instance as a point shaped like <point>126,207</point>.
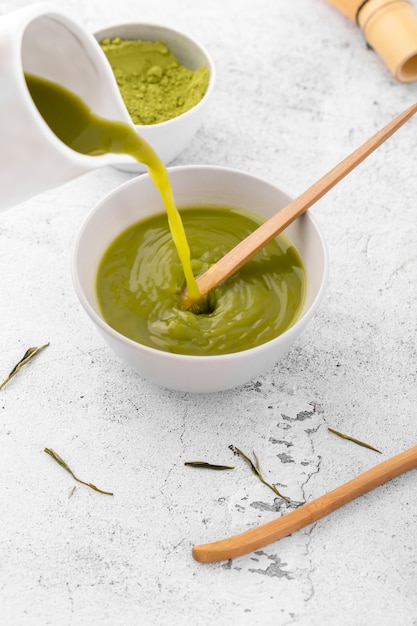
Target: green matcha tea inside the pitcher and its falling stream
<point>81,129</point>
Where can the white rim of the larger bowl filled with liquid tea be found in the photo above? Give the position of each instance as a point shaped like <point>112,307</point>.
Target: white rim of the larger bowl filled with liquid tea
<point>286,336</point>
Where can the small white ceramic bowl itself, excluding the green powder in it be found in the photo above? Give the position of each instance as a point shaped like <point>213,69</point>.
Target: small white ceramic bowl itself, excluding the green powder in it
<point>168,138</point>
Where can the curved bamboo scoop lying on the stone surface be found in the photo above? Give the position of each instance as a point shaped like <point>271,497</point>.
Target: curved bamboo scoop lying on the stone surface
<point>308,513</point>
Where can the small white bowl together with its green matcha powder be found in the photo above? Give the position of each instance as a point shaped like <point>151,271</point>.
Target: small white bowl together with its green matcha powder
<point>166,79</point>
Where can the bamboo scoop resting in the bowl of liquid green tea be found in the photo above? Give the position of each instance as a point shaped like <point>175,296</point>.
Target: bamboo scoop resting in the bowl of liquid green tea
<point>246,249</point>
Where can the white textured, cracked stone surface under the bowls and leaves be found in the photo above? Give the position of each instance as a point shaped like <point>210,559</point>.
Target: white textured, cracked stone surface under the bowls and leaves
<point>297,90</point>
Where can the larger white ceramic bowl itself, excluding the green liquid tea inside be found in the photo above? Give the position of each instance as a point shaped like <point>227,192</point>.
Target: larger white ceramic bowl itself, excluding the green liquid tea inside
<point>195,185</point>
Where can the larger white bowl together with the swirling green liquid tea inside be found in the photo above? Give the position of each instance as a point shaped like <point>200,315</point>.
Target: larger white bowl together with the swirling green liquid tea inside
<point>129,279</point>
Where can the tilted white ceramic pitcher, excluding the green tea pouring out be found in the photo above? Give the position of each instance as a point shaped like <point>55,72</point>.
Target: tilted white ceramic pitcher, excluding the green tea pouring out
<point>41,39</point>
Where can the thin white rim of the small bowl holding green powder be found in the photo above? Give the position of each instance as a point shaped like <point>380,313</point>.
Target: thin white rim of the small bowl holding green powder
<point>209,62</point>
